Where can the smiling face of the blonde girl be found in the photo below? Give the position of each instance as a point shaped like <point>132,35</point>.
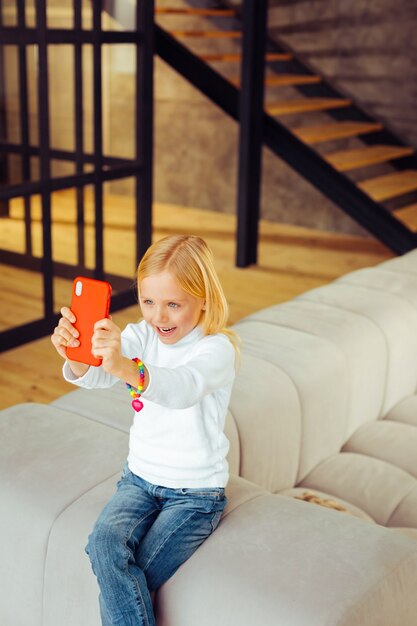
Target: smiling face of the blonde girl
<point>171,311</point>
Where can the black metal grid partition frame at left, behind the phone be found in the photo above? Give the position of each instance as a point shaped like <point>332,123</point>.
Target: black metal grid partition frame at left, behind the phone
<point>105,168</point>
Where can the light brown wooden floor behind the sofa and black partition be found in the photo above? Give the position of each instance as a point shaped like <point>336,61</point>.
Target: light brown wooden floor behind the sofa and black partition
<point>291,260</point>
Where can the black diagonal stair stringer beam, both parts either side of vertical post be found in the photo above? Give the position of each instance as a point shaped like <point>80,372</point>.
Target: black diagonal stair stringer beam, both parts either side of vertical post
<point>334,185</point>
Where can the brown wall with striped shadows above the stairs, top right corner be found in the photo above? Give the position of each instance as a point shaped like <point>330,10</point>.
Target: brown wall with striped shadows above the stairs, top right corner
<point>368,50</point>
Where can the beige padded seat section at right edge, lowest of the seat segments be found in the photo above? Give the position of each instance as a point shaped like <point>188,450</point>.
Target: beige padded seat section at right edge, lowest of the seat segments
<point>373,485</point>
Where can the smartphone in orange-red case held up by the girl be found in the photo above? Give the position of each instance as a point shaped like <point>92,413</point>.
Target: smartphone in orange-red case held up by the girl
<point>90,302</point>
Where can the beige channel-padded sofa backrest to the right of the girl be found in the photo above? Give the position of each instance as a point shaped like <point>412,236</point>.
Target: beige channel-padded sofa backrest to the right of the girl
<point>316,368</point>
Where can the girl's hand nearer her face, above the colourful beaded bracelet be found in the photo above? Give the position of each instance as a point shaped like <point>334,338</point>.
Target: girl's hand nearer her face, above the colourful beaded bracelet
<point>106,345</point>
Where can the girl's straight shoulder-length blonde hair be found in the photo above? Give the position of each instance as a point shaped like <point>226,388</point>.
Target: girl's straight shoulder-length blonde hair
<point>190,260</point>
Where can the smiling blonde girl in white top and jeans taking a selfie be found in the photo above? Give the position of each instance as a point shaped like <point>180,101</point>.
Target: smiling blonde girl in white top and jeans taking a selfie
<point>180,362</point>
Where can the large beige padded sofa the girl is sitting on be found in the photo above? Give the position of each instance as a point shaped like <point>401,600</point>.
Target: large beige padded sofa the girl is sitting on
<point>325,403</point>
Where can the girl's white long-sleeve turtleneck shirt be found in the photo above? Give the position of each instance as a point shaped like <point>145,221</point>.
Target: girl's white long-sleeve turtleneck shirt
<point>177,439</point>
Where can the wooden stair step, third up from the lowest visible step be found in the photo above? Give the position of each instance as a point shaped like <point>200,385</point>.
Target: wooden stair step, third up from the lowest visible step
<point>346,160</point>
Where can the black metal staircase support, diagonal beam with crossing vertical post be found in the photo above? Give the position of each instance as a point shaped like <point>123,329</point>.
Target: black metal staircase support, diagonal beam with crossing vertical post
<point>256,126</point>
